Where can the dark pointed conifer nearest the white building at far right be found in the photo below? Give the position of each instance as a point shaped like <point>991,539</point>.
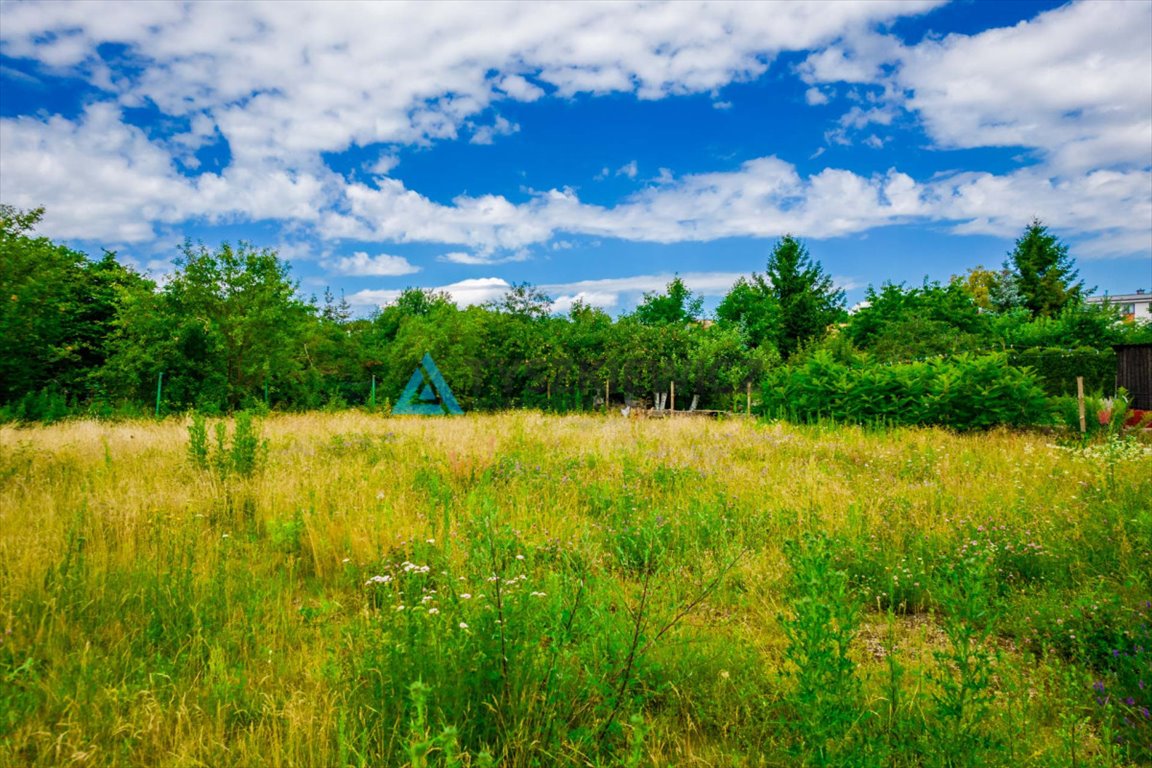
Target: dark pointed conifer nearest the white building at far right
<point>1043,272</point>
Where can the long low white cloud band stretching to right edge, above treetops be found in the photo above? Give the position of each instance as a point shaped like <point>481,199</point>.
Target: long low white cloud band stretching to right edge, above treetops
<point>763,199</point>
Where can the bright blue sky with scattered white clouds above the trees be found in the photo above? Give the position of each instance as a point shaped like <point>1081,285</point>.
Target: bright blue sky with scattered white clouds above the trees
<point>594,150</point>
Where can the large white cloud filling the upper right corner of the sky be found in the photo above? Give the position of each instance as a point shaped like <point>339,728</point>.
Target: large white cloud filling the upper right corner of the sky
<point>1075,85</point>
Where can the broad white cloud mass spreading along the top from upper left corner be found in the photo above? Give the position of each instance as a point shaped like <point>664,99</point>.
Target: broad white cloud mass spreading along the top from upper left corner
<point>289,81</point>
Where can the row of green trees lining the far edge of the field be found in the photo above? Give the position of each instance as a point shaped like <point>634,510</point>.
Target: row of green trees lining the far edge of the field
<point>230,330</point>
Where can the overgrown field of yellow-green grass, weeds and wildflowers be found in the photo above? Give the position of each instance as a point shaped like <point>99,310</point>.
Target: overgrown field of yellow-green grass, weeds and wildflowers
<point>519,590</point>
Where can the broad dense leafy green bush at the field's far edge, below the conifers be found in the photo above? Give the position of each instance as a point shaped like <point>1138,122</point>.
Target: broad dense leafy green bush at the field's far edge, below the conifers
<point>964,393</point>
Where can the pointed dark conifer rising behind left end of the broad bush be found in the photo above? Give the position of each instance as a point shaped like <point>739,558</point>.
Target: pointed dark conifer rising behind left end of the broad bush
<point>809,302</point>
